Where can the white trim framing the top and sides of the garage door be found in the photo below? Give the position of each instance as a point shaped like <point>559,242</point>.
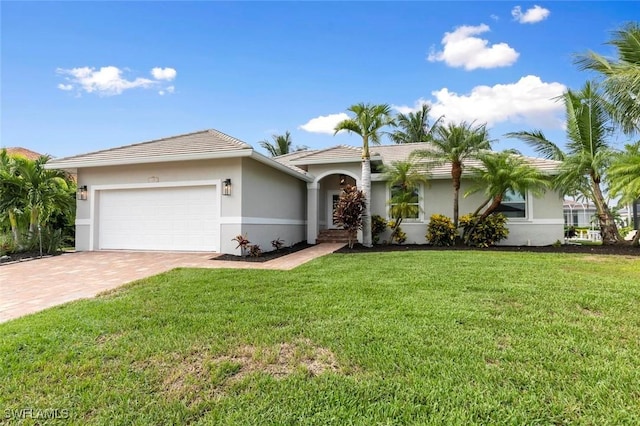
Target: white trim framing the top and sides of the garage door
<point>94,199</point>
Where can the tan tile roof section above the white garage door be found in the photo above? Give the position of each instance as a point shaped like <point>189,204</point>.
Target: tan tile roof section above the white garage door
<point>190,144</point>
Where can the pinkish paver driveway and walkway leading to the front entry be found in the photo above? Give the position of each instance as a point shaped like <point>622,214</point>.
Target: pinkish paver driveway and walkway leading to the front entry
<point>31,286</point>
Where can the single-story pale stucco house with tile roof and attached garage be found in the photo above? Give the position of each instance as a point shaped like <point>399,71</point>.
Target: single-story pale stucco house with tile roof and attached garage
<point>197,191</point>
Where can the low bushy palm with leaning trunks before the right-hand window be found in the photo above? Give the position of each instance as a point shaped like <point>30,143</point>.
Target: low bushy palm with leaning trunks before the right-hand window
<point>501,173</point>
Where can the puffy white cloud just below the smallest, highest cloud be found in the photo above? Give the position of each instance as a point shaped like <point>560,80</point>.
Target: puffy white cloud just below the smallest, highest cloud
<point>462,49</point>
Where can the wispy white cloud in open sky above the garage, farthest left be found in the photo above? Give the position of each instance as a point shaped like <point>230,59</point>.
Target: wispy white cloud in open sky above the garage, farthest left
<point>109,80</point>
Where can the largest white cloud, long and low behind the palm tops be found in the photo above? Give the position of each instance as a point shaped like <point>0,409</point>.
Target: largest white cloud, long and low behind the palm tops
<point>529,100</point>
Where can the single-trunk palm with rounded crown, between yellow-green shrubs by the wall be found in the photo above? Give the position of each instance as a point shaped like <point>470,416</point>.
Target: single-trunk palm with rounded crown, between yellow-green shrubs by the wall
<point>455,143</point>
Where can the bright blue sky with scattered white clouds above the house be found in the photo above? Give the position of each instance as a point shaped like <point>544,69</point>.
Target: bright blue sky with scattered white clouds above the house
<point>84,76</point>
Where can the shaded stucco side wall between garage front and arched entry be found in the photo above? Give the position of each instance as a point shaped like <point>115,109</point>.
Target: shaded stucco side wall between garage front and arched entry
<point>273,206</point>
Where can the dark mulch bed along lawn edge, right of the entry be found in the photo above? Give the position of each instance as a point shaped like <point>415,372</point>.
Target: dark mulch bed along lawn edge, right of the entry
<point>623,249</point>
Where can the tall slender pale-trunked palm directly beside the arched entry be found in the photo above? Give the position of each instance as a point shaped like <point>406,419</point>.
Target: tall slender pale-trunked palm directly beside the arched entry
<point>367,122</point>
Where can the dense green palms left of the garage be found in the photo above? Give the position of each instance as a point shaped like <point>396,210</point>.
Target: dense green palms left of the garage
<point>32,197</point>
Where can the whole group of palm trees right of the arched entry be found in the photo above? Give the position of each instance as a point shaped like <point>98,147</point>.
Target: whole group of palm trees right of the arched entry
<point>587,166</point>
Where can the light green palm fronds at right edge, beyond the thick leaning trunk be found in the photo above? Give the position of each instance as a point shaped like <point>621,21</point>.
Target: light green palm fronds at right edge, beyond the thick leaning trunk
<point>624,177</point>
